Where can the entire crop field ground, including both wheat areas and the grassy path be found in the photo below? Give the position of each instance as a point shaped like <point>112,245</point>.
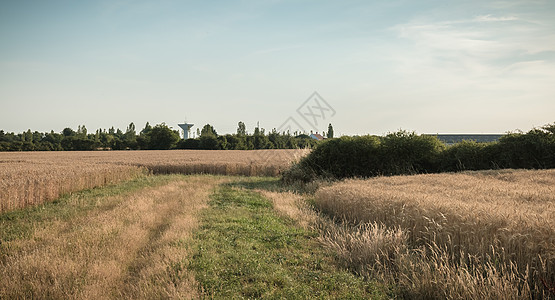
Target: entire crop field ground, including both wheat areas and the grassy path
<point>134,225</point>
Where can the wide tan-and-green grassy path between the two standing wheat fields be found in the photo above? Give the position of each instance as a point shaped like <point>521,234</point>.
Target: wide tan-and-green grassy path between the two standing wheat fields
<point>169,237</point>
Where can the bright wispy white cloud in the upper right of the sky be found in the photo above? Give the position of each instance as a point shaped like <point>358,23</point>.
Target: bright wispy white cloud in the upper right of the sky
<point>486,44</point>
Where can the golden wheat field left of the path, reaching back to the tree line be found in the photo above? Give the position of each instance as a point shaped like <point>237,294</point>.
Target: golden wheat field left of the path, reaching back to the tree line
<point>31,178</point>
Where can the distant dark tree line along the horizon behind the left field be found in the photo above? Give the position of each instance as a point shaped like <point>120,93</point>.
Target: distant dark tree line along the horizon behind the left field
<point>159,137</point>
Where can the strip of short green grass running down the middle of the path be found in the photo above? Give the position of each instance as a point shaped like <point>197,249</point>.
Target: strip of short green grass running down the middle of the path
<point>244,250</point>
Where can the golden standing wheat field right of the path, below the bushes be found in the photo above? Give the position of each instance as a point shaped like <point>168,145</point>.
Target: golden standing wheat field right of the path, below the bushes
<point>471,235</point>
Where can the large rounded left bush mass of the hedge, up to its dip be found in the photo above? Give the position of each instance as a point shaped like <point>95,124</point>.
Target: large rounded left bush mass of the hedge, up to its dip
<point>366,156</point>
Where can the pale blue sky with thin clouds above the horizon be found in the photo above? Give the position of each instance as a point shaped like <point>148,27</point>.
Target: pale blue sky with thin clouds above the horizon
<point>376,66</point>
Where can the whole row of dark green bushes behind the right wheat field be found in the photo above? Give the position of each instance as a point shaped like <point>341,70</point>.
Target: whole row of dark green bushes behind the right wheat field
<point>408,153</point>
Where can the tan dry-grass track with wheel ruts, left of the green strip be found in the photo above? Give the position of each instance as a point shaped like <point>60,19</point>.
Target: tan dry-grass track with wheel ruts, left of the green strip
<point>127,246</point>
